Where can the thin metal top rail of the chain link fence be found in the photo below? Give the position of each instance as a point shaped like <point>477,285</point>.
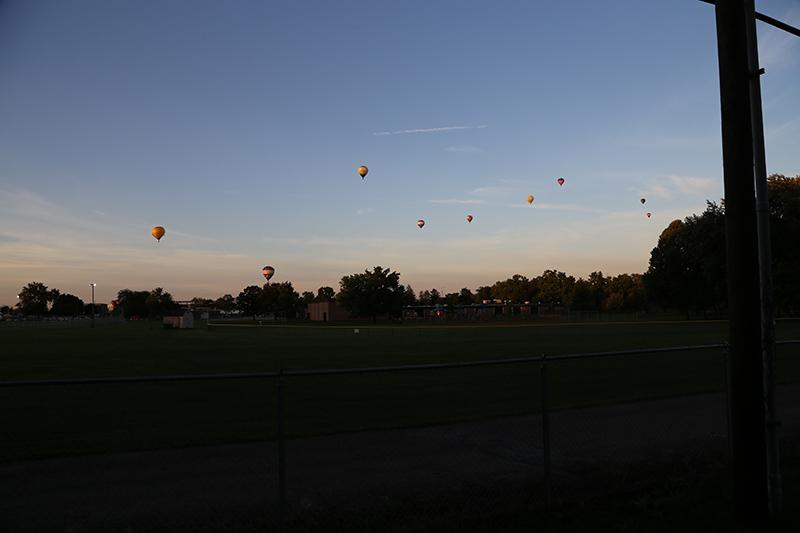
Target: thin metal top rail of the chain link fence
<point>282,373</point>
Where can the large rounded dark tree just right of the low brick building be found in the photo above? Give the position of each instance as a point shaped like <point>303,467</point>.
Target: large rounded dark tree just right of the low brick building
<point>371,294</point>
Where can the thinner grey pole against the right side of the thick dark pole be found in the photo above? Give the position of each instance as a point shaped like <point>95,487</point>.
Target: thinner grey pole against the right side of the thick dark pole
<point>765,263</point>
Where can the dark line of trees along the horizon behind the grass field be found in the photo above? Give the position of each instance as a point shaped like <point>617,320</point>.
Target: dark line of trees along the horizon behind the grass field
<point>686,274</point>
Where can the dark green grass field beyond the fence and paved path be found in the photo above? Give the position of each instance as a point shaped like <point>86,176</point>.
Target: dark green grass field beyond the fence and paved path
<point>81,419</point>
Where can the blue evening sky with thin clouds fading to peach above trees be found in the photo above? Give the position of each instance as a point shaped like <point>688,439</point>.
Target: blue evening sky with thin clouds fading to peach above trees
<point>239,127</point>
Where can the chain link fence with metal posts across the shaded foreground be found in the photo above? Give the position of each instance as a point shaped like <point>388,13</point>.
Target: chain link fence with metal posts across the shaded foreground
<point>380,449</point>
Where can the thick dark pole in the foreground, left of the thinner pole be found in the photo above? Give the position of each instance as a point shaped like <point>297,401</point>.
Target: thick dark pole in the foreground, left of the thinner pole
<point>748,448</point>
